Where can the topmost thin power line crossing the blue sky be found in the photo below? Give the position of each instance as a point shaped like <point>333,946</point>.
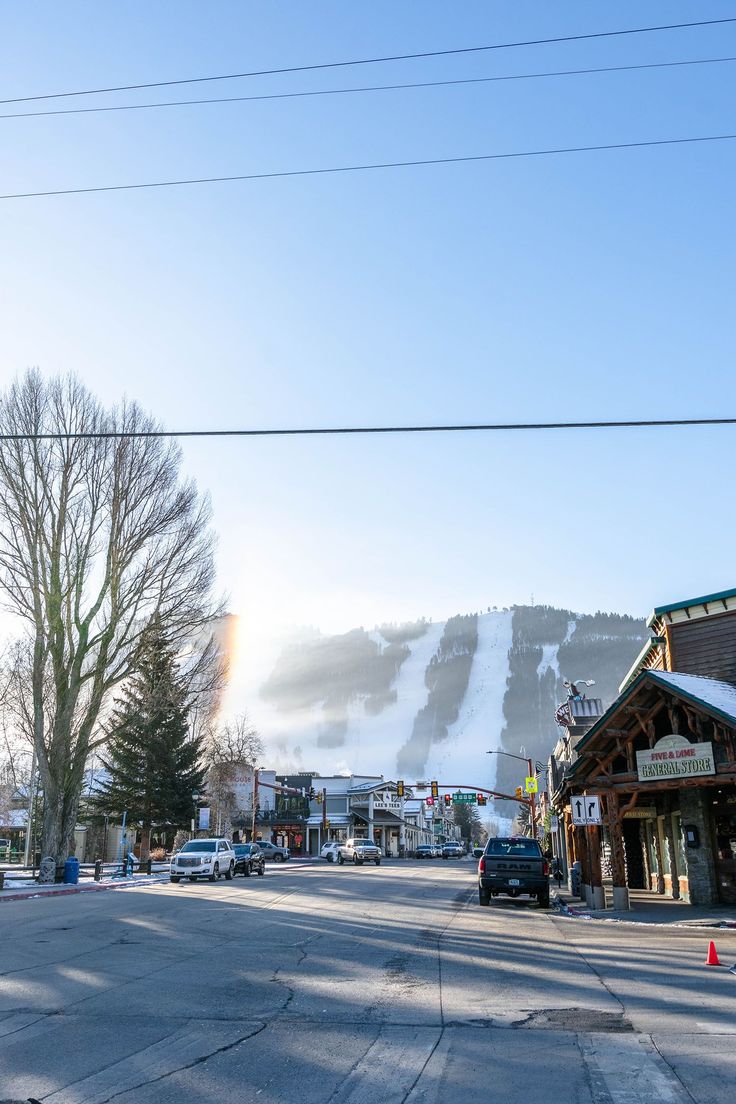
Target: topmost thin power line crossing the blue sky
<point>372,61</point>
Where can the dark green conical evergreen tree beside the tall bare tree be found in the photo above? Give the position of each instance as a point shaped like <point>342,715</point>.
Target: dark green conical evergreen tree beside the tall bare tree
<point>154,766</point>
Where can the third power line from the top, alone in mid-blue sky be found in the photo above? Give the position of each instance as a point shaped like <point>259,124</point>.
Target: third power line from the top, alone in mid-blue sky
<point>371,167</point>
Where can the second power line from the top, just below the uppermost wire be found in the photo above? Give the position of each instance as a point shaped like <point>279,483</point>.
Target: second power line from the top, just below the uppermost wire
<point>376,88</point>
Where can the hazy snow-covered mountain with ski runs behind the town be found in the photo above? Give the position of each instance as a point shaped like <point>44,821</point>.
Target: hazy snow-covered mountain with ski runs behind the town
<point>428,699</point>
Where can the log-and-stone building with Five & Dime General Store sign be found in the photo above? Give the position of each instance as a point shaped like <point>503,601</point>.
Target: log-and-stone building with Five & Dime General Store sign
<point>663,763</point>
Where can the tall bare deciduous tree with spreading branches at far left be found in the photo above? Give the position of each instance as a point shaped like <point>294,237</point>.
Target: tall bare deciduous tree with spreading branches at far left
<point>99,535</point>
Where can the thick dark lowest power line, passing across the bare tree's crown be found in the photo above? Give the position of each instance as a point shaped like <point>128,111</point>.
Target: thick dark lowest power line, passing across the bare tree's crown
<point>355,431</point>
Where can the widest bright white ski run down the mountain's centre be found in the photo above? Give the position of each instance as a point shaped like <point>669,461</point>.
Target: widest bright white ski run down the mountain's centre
<point>478,728</point>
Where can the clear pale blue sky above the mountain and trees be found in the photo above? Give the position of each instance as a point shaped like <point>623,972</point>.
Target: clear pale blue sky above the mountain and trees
<point>588,286</point>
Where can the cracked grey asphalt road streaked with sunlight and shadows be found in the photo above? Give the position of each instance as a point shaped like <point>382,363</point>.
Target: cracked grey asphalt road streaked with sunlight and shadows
<point>355,986</point>
